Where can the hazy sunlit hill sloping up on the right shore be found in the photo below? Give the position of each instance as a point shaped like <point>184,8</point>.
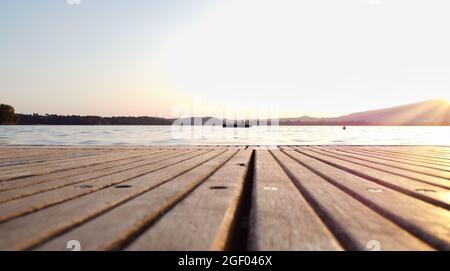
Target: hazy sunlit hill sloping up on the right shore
<point>430,112</point>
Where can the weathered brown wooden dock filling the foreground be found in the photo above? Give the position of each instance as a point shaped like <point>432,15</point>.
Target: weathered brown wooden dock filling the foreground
<point>225,197</point>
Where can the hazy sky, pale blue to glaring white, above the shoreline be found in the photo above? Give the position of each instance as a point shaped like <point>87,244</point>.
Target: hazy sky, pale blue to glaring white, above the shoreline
<point>143,57</point>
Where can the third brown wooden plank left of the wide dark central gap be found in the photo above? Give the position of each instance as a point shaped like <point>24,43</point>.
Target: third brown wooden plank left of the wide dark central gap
<point>60,218</point>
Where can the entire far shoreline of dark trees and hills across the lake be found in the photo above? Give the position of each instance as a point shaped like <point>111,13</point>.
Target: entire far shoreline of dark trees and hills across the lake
<point>8,116</point>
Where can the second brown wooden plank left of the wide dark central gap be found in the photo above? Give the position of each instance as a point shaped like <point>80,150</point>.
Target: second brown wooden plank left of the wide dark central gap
<point>104,233</point>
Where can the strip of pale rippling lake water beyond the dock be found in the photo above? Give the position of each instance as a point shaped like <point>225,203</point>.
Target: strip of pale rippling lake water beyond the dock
<point>283,135</point>
